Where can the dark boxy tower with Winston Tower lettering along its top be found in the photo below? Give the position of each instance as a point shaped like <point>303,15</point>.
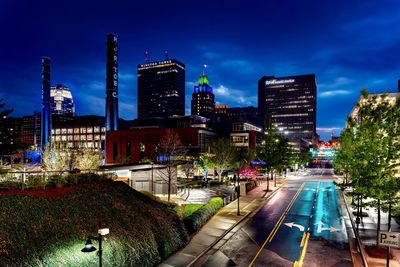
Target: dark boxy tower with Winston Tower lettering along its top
<point>161,89</point>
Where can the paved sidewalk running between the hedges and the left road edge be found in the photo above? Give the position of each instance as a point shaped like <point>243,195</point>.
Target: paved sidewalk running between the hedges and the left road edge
<point>221,225</point>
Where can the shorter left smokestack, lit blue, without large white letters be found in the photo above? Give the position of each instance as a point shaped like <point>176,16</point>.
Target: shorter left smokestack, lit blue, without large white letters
<point>46,112</point>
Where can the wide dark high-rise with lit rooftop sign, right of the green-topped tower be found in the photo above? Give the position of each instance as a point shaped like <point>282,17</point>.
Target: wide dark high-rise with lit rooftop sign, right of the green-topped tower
<point>290,104</point>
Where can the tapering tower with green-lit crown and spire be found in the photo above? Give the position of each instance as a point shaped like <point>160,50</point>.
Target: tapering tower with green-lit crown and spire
<point>203,103</point>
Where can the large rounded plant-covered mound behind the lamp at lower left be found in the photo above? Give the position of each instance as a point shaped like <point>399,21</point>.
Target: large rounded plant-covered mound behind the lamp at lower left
<point>51,232</point>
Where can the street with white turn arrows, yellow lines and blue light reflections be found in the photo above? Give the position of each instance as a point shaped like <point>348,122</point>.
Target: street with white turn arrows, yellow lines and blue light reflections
<point>304,209</point>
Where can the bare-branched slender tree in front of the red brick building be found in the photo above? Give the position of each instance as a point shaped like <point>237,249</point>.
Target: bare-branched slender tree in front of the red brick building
<point>170,151</point>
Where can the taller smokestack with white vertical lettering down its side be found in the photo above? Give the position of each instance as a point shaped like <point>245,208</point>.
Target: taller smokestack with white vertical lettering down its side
<point>112,83</point>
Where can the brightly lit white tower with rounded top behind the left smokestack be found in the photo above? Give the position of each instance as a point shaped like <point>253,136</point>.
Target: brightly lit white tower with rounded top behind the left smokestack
<point>61,100</point>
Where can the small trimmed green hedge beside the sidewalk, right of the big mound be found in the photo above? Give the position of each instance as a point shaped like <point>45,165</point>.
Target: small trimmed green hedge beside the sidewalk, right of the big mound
<point>195,221</point>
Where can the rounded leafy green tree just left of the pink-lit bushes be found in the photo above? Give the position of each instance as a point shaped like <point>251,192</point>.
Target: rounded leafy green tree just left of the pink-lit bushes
<point>222,156</point>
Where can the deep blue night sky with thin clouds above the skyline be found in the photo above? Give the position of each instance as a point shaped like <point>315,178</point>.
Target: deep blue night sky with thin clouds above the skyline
<point>349,45</point>
